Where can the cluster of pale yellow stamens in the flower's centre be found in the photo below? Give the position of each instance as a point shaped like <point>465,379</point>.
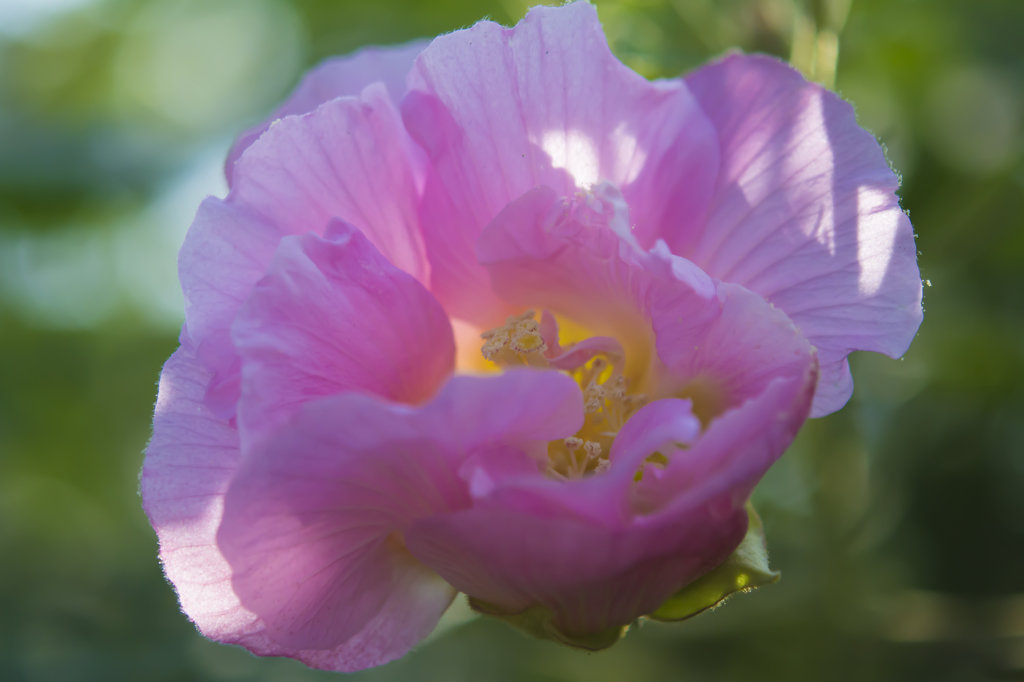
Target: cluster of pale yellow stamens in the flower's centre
<point>598,365</point>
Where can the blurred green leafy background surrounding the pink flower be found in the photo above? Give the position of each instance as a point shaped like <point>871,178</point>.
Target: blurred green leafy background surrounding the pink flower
<point>899,523</point>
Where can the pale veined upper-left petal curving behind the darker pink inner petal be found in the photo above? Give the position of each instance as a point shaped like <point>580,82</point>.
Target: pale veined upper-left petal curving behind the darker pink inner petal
<point>351,159</point>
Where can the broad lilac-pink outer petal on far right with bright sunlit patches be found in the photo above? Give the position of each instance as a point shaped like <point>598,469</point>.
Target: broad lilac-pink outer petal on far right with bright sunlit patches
<point>805,215</point>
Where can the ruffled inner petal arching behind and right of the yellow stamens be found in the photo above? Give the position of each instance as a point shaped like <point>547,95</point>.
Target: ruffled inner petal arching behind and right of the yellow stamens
<point>718,342</point>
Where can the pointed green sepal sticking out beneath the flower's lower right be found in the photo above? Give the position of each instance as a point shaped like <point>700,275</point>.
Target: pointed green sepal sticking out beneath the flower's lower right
<point>746,569</point>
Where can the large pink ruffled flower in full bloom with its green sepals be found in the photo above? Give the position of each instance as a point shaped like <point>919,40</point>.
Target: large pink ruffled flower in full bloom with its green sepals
<point>322,479</point>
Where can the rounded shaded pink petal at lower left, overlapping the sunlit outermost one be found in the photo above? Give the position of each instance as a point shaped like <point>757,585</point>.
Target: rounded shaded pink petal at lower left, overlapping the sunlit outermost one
<point>309,522</point>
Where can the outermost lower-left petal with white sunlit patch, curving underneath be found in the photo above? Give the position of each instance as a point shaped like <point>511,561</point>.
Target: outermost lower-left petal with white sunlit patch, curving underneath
<point>189,466</point>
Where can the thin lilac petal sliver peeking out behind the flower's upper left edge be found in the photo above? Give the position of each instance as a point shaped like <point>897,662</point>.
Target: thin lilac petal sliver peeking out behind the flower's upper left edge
<point>337,77</point>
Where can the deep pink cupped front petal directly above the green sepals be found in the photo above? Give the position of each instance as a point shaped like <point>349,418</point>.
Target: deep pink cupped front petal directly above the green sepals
<point>535,542</point>
